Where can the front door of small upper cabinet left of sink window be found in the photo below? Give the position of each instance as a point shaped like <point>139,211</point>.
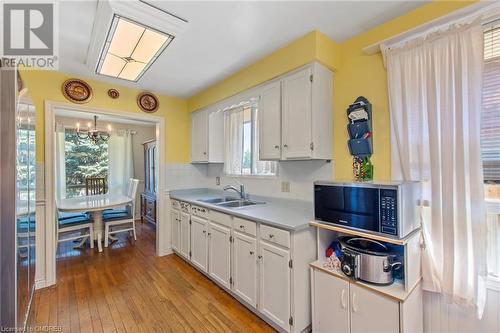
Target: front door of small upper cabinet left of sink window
<point>199,136</point>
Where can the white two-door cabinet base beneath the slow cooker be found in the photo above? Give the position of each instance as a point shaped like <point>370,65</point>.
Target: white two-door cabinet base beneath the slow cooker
<point>339,305</point>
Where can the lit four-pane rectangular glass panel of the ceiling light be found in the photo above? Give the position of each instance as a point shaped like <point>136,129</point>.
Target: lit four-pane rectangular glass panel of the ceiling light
<point>130,49</point>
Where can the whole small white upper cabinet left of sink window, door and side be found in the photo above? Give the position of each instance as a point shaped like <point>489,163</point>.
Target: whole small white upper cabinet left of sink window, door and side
<point>207,137</point>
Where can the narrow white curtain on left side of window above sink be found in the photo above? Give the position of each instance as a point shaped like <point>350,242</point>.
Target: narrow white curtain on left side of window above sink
<point>233,143</point>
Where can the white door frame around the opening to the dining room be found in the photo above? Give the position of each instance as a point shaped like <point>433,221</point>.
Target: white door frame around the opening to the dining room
<point>162,241</point>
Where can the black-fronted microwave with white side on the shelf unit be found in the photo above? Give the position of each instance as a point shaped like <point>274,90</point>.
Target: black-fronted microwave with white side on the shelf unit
<point>388,209</point>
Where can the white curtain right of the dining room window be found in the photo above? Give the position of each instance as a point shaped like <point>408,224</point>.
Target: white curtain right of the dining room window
<point>120,161</point>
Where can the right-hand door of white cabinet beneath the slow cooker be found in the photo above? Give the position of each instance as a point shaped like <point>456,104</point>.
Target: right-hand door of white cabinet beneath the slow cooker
<point>372,312</point>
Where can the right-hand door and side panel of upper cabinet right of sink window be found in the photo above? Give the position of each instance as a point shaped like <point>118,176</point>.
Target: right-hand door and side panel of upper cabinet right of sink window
<point>307,114</point>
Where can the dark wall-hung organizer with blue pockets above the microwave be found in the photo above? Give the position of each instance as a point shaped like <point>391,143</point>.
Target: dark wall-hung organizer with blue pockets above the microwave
<point>360,141</point>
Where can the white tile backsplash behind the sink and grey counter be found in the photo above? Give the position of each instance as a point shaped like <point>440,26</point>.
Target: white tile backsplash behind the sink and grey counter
<point>300,175</point>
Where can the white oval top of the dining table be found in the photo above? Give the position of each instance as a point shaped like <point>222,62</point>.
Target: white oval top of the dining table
<point>92,202</point>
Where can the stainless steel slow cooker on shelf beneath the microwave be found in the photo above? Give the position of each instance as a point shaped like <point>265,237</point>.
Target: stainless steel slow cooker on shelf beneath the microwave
<point>368,260</point>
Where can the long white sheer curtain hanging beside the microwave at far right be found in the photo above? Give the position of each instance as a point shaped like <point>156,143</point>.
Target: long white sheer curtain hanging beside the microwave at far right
<point>435,87</point>
